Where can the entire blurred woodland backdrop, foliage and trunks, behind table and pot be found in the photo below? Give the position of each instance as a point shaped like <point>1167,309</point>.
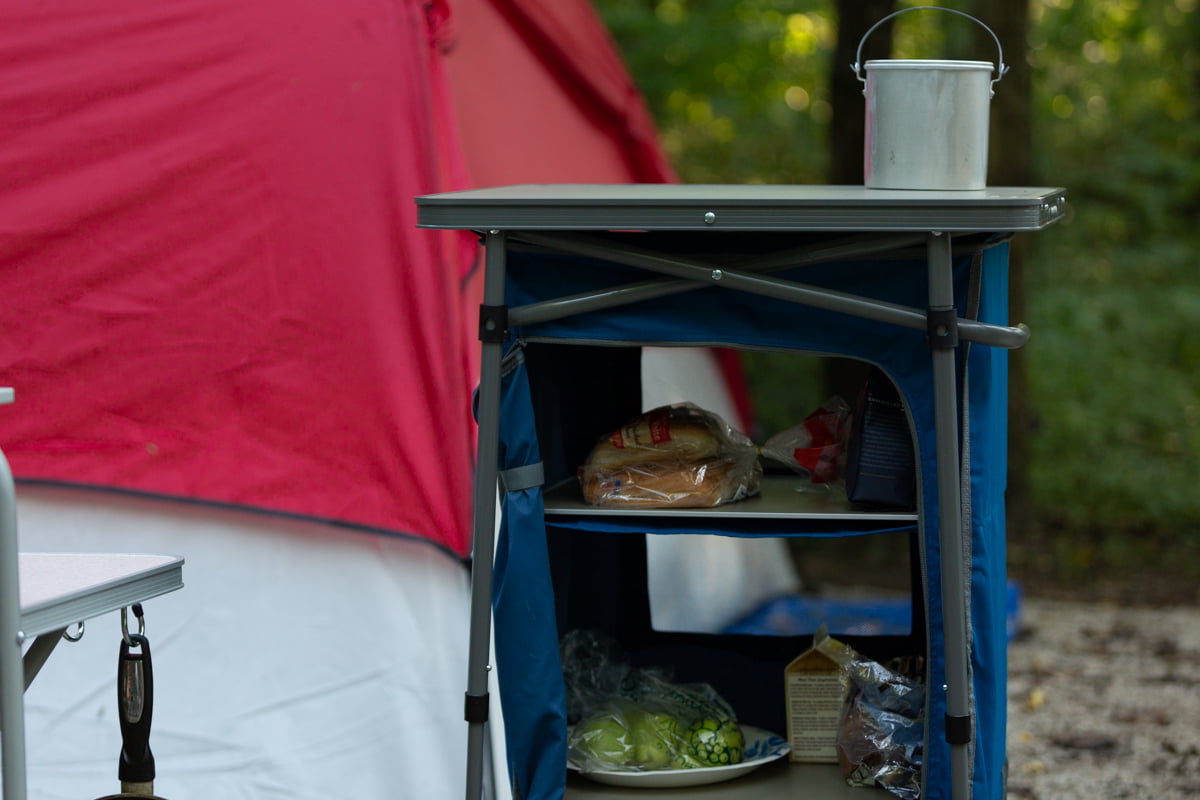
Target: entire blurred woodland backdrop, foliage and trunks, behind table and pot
<point>1102,99</point>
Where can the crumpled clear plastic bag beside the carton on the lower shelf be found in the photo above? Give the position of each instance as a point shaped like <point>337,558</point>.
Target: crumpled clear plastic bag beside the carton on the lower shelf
<point>881,736</point>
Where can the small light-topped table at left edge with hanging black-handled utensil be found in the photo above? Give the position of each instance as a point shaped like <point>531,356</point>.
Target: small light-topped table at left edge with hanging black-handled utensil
<point>43,596</point>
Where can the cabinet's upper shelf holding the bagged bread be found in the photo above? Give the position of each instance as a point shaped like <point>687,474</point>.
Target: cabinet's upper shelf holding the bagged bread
<point>781,498</point>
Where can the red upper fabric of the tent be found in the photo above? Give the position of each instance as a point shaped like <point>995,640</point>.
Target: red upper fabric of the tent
<point>213,284</point>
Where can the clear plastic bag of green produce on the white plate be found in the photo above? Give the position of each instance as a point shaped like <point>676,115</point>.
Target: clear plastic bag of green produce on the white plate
<point>635,720</point>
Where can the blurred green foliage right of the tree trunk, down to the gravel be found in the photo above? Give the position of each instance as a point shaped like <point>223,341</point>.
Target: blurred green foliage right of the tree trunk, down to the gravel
<point>1114,296</point>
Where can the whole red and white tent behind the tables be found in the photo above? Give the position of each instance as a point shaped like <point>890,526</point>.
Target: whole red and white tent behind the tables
<point>214,291</point>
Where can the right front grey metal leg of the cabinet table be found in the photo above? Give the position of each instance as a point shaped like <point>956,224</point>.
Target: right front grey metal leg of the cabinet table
<point>944,344</point>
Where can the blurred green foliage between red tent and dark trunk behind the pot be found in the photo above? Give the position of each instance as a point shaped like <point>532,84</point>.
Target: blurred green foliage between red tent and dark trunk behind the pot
<point>739,89</point>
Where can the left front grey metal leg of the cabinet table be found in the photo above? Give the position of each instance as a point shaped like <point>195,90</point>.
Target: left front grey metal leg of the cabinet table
<point>484,527</point>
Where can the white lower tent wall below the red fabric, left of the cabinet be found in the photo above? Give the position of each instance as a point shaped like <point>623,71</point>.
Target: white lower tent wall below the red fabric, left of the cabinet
<point>299,663</point>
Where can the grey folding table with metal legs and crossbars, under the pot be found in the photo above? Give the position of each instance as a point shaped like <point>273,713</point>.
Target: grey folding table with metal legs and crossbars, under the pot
<point>562,218</point>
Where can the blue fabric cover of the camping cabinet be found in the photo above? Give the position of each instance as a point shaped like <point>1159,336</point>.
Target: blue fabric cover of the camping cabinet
<point>526,639</point>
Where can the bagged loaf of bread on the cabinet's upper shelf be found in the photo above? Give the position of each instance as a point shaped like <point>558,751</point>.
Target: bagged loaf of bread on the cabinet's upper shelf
<point>674,456</point>
